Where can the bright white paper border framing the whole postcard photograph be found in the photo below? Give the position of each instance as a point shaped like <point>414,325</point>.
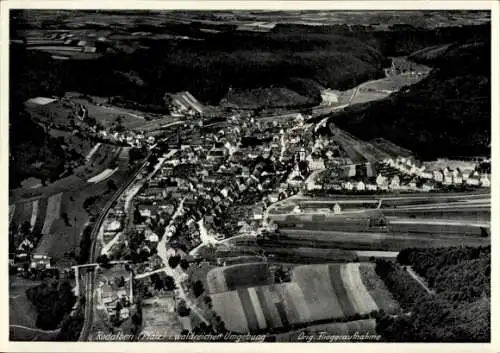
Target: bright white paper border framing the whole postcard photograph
<point>5,5</point>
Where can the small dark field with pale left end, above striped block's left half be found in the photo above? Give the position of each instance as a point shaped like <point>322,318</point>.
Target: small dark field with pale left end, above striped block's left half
<point>232,277</point>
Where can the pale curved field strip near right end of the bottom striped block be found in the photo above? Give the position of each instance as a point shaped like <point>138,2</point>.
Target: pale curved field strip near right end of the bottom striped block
<point>360,298</point>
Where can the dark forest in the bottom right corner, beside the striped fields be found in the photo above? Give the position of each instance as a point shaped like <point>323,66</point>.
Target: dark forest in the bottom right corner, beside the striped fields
<point>458,311</point>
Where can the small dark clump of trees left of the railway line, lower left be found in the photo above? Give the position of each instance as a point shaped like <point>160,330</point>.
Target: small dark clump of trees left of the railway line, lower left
<point>52,301</point>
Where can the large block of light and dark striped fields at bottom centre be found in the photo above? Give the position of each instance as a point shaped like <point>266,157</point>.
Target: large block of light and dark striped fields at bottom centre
<point>316,293</point>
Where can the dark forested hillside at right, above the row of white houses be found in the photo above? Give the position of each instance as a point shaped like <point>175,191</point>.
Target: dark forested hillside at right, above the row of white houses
<point>445,115</point>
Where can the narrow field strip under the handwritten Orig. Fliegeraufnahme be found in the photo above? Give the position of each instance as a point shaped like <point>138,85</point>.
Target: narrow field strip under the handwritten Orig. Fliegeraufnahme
<point>337,329</point>
